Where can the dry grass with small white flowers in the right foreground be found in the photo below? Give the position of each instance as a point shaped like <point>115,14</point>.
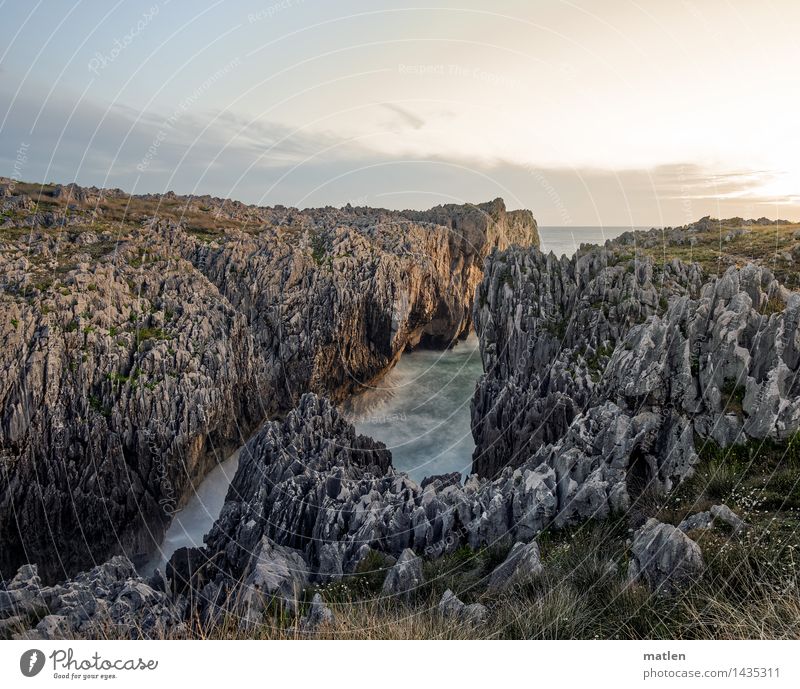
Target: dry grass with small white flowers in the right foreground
<point>751,587</point>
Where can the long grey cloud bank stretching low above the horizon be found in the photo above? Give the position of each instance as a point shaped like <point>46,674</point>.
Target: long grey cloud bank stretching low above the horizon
<point>230,154</point>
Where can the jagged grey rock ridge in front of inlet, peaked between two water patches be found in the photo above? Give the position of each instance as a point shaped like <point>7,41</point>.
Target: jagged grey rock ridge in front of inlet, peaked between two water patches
<point>310,483</point>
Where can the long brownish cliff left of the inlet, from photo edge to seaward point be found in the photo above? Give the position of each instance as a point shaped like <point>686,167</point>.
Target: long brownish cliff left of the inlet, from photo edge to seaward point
<point>143,338</point>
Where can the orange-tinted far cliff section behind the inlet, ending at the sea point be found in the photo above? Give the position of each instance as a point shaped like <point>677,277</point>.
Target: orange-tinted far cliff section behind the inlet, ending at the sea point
<point>335,296</point>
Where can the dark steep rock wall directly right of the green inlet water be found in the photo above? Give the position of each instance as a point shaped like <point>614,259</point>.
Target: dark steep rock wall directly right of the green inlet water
<point>547,328</point>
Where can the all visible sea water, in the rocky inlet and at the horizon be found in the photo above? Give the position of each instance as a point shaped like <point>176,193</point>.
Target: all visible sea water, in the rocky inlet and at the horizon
<point>420,410</point>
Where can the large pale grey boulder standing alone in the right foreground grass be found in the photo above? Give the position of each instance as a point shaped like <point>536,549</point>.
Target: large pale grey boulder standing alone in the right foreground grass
<point>664,557</point>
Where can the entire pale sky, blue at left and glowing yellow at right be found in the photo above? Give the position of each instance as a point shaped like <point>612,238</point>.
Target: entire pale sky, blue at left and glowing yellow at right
<point>602,112</point>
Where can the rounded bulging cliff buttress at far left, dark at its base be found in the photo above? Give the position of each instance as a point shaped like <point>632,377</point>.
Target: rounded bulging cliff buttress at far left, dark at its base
<point>120,388</point>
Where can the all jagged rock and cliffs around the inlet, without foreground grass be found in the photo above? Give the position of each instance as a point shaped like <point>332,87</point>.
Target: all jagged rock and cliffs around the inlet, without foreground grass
<point>130,356</point>
